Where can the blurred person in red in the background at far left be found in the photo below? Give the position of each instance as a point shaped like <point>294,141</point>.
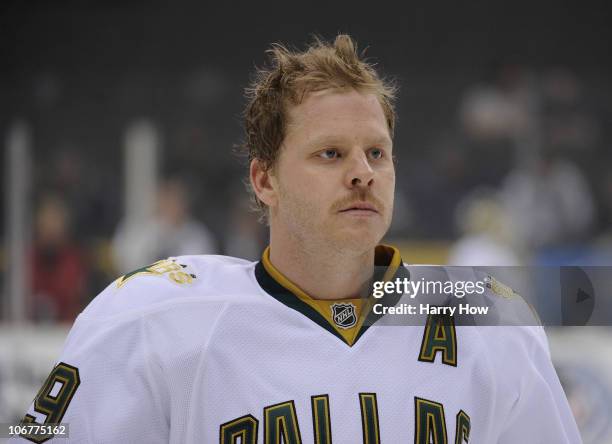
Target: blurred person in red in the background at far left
<point>59,272</point>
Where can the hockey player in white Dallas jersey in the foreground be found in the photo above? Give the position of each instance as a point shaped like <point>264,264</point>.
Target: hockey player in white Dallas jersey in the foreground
<point>203,349</point>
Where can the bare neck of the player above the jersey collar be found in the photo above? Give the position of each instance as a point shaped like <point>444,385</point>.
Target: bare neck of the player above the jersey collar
<point>322,272</point>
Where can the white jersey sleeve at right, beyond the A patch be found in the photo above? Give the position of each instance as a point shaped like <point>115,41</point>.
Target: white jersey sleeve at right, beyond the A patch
<point>540,412</point>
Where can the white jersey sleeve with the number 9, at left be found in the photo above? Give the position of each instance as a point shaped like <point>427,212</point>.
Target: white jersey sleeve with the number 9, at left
<point>106,385</point>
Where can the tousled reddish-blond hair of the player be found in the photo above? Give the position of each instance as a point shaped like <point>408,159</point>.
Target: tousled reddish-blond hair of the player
<point>293,74</point>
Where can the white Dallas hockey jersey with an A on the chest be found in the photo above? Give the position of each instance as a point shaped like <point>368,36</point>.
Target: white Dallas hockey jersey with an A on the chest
<point>213,349</point>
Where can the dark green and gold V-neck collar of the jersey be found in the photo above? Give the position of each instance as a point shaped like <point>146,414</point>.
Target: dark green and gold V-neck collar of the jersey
<point>388,266</point>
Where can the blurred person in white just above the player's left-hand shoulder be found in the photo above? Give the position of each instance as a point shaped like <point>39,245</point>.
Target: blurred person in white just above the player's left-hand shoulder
<point>172,231</point>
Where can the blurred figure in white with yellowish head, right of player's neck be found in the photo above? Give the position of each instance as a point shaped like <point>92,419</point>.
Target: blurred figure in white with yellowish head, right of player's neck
<point>486,238</point>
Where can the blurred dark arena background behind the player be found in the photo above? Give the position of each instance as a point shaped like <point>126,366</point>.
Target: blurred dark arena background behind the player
<point>120,121</point>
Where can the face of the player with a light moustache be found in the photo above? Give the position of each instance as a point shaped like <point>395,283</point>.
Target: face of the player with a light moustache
<point>334,179</point>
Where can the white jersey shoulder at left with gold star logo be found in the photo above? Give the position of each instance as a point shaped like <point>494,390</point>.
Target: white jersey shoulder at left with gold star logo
<point>211,279</point>
